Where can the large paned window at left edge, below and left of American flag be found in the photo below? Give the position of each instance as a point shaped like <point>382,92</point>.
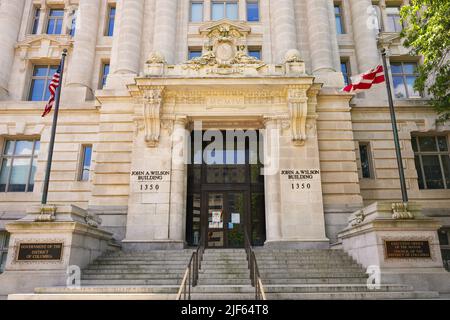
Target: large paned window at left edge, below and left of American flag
<point>18,165</point>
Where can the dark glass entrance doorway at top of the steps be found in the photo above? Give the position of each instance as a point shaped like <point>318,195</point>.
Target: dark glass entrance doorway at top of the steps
<point>225,196</point>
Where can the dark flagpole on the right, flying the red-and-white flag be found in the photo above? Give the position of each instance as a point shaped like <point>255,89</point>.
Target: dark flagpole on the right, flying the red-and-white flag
<point>395,129</point>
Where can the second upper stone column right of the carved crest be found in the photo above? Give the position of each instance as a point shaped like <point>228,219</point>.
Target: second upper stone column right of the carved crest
<point>320,32</point>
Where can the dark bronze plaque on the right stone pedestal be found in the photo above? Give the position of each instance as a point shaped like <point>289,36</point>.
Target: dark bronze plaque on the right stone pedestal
<point>407,249</point>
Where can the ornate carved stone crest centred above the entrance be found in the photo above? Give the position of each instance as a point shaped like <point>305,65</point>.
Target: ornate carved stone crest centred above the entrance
<point>225,47</point>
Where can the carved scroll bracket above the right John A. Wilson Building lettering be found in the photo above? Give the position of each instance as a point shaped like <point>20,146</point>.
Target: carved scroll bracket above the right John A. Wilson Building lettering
<point>298,110</point>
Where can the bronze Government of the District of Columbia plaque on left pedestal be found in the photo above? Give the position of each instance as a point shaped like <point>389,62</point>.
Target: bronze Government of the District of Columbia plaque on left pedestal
<point>40,252</point>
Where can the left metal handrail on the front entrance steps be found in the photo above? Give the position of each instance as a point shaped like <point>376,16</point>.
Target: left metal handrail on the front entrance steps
<point>190,278</point>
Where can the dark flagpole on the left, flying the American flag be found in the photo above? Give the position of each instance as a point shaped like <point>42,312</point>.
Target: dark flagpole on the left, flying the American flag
<point>52,138</point>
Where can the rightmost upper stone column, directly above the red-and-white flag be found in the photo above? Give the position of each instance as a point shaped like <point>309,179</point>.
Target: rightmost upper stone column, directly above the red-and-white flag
<point>364,36</point>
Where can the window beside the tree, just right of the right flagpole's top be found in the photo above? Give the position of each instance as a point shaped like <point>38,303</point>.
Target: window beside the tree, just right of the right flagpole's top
<point>404,75</point>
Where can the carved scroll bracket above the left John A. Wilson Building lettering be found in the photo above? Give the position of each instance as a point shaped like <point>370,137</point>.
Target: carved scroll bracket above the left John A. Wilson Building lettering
<point>152,101</point>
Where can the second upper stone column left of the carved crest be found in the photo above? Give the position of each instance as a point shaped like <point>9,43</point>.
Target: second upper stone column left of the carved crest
<point>130,37</point>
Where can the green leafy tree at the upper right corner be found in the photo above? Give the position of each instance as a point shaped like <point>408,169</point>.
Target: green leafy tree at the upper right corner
<point>427,33</point>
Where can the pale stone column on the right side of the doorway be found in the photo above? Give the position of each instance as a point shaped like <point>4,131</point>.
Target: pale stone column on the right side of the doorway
<point>272,180</point>
